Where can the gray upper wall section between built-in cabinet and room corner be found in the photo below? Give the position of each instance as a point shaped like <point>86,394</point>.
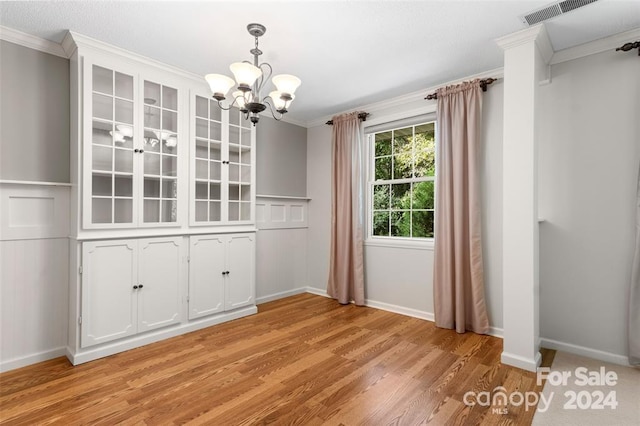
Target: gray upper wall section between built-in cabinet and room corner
<point>281,157</point>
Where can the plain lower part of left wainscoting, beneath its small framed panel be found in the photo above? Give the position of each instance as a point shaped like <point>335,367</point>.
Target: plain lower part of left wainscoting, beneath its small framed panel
<point>34,281</point>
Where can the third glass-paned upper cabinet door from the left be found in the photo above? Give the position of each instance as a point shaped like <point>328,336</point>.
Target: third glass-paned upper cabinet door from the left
<point>207,161</point>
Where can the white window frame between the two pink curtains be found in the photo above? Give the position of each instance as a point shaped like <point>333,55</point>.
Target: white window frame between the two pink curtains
<point>396,241</point>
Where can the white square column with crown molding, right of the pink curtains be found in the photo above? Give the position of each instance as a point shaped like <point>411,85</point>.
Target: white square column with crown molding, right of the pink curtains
<point>526,55</point>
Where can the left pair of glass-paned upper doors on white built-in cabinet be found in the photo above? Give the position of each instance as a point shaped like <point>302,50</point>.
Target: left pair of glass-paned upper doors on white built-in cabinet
<point>134,139</point>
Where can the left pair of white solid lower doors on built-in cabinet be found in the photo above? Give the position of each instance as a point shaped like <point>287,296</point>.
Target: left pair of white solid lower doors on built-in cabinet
<point>129,286</point>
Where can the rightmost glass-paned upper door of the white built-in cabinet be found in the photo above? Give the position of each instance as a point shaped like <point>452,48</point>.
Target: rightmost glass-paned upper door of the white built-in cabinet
<point>240,167</point>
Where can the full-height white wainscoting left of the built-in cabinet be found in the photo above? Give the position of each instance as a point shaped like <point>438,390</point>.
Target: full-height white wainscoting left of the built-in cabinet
<point>34,272</point>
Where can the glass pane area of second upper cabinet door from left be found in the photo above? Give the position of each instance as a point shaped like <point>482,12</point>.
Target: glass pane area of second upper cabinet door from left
<point>160,145</point>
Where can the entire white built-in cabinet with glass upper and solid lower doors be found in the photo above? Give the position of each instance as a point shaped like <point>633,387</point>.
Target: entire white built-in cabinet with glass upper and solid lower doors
<point>162,217</point>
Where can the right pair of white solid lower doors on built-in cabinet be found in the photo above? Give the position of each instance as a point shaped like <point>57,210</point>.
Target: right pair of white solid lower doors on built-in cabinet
<point>221,273</point>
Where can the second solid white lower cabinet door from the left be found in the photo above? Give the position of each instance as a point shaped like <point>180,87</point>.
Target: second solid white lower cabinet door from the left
<point>160,276</point>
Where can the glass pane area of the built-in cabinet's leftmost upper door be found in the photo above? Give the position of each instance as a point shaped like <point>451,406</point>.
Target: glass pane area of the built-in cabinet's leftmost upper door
<point>109,182</point>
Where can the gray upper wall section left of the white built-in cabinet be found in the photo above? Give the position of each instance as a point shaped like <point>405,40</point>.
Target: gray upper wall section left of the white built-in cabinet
<point>34,115</point>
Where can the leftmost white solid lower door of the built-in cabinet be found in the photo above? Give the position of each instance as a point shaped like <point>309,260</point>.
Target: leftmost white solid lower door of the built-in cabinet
<point>108,298</point>
